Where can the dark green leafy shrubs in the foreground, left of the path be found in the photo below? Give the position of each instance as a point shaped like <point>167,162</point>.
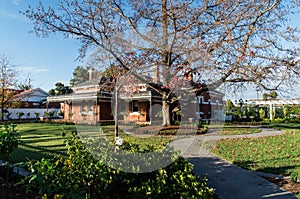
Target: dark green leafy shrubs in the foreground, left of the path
<point>81,175</point>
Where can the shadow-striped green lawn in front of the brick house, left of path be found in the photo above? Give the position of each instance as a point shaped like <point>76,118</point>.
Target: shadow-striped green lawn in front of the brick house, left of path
<point>44,140</point>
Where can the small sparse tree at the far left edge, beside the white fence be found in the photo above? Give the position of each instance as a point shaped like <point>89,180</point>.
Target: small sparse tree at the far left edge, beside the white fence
<point>8,81</point>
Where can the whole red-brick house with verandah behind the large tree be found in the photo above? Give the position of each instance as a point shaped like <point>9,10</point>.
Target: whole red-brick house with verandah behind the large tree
<point>91,102</point>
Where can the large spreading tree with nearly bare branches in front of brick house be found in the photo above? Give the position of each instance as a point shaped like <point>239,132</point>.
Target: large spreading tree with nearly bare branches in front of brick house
<point>216,41</point>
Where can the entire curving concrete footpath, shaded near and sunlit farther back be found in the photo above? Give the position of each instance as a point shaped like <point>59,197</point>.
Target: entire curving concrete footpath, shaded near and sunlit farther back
<point>229,180</point>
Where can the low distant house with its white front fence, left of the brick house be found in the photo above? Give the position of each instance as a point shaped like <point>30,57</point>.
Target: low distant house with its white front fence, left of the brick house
<point>33,103</point>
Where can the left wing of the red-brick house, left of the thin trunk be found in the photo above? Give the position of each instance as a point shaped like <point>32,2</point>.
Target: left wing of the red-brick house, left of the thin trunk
<point>87,104</point>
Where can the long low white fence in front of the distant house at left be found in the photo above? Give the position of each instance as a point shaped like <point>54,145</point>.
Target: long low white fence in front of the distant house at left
<point>29,113</point>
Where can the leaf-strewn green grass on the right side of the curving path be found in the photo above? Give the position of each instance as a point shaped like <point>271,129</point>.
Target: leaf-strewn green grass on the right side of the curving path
<point>278,154</point>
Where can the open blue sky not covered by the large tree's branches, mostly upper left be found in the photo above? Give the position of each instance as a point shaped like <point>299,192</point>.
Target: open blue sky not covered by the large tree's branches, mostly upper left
<point>52,59</point>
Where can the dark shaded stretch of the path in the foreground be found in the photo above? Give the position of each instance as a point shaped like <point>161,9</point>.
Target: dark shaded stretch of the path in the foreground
<point>233,182</point>
